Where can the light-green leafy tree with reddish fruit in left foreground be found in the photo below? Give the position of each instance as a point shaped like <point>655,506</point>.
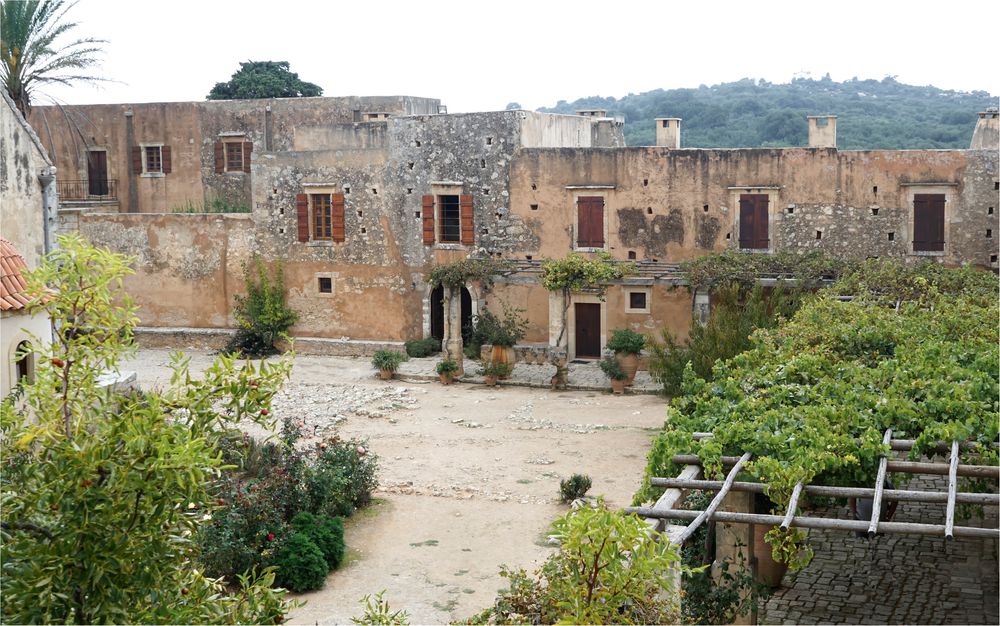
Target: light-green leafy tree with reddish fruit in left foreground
<point>101,491</point>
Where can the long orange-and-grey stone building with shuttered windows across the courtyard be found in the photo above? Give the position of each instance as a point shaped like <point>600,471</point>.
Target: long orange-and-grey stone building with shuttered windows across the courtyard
<point>362,197</point>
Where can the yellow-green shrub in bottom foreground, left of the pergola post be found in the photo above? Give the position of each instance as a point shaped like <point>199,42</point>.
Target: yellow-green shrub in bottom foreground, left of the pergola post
<point>608,570</point>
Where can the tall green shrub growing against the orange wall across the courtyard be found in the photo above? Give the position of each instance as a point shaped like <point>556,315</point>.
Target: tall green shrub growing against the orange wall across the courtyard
<point>262,317</point>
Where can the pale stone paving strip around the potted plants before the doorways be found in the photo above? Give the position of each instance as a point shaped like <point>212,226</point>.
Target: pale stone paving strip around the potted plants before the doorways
<point>582,376</point>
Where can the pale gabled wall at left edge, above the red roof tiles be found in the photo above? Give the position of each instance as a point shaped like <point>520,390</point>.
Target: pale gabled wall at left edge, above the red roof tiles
<point>22,160</point>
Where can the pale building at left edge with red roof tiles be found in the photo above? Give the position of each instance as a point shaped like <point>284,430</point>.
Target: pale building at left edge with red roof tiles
<point>27,207</point>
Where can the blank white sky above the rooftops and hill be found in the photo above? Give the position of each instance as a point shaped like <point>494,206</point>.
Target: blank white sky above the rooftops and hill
<point>480,55</point>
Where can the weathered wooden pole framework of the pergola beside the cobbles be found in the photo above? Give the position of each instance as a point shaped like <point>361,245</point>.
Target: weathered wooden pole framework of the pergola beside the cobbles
<point>666,507</point>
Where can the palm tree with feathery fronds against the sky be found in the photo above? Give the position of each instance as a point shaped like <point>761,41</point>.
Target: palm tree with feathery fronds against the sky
<point>32,53</point>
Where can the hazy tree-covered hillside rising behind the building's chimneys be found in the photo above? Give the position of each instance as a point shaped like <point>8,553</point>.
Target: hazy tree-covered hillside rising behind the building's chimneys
<point>871,114</point>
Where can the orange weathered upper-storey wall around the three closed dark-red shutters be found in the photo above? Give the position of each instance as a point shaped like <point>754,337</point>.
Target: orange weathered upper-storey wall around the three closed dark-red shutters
<point>671,205</point>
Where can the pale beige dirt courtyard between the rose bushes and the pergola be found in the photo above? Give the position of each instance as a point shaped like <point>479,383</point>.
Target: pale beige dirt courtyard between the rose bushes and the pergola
<point>469,477</point>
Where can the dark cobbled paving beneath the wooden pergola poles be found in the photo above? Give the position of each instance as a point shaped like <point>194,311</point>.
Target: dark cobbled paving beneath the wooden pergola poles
<point>894,579</point>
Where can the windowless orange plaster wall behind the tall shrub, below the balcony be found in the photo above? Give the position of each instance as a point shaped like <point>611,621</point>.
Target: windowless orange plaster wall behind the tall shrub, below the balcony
<point>187,268</point>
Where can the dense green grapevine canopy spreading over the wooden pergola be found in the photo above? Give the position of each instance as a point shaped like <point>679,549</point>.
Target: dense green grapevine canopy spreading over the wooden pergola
<point>811,399</point>
